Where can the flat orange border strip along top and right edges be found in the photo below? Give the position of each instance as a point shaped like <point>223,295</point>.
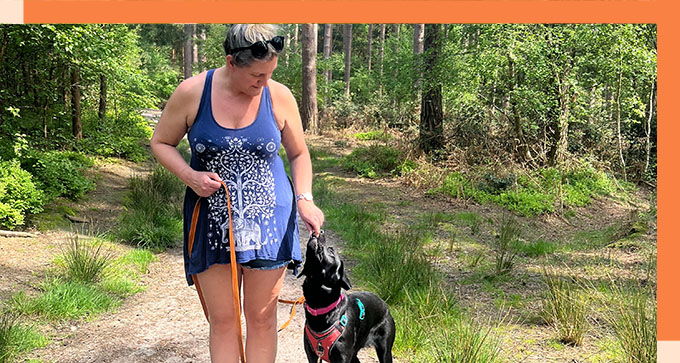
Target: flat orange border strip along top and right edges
<point>439,11</point>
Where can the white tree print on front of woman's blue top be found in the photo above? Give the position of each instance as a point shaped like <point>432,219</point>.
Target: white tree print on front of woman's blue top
<point>244,167</point>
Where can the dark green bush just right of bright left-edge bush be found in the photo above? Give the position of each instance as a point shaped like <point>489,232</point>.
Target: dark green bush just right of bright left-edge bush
<point>60,173</point>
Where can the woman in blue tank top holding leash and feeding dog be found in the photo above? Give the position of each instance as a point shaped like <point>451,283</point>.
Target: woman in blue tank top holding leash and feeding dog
<point>236,118</point>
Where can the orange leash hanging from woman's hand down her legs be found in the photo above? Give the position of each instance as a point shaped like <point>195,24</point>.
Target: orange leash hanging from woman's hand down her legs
<point>234,277</point>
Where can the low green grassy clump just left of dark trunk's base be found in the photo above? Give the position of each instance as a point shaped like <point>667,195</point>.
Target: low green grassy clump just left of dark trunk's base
<point>377,160</point>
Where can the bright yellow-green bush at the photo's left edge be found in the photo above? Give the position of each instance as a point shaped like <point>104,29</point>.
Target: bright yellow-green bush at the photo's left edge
<point>19,196</point>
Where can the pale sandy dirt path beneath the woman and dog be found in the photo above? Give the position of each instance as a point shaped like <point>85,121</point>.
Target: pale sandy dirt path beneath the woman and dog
<point>165,323</point>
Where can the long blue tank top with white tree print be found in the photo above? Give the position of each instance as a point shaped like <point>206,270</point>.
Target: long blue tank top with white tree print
<point>262,202</point>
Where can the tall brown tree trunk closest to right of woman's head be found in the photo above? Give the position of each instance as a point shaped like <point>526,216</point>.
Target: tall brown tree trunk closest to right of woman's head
<point>309,111</point>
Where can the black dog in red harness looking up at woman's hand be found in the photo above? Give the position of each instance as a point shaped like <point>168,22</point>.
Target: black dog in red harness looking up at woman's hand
<point>338,325</point>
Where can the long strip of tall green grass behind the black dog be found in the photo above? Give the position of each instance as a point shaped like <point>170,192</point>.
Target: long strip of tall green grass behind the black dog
<point>394,266</point>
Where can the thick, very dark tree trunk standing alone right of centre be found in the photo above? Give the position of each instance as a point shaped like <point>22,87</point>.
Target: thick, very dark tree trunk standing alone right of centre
<point>431,136</point>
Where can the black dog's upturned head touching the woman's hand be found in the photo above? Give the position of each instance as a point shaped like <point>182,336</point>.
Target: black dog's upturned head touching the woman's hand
<point>323,265</point>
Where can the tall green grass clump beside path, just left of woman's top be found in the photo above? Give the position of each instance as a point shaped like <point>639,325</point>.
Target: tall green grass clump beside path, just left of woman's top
<point>153,218</point>
